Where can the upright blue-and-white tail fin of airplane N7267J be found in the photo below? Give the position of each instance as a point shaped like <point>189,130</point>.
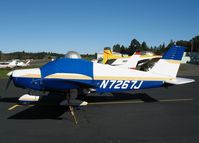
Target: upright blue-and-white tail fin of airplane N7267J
<point>169,64</point>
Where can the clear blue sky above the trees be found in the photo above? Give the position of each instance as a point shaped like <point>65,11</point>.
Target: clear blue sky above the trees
<point>87,26</point>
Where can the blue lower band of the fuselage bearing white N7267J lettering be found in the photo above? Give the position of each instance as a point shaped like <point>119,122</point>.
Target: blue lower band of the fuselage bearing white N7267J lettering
<point>99,85</point>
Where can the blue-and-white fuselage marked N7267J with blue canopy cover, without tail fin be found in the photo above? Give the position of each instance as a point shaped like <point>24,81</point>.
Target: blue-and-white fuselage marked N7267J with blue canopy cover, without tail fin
<point>64,74</point>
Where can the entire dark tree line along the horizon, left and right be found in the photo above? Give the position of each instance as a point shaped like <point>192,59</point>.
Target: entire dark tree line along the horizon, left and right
<point>191,46</point>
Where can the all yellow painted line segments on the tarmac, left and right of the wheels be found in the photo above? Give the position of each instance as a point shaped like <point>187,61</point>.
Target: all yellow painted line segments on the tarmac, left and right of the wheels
<point>116,102</point>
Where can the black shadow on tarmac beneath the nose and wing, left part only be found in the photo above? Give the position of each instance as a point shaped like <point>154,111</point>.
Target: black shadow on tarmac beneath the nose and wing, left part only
<point>47,108</point>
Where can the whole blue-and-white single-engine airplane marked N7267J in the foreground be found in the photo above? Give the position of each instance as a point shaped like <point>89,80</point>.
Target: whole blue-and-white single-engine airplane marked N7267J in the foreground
<point>65,75</point>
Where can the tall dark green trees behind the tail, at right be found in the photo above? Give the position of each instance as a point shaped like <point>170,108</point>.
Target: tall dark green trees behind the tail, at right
<point>191,46</point>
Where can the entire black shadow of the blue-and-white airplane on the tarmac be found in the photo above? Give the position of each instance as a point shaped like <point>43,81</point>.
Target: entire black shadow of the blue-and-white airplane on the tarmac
<point>49,108</point>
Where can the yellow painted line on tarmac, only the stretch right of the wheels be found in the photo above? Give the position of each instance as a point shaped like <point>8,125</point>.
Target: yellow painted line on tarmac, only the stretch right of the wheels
<point>137,102</point>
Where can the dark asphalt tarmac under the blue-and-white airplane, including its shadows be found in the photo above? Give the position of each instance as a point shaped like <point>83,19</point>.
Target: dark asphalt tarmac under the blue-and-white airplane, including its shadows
<point>154,115</point>
